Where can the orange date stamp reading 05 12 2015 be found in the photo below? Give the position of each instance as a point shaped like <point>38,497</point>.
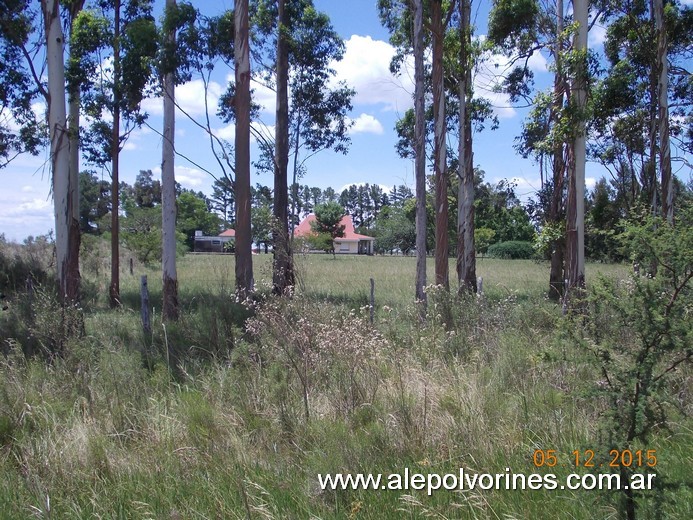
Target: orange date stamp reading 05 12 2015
<point>591,459</point>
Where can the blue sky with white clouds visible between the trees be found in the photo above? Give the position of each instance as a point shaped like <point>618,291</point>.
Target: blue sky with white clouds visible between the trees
<point>26,207</point>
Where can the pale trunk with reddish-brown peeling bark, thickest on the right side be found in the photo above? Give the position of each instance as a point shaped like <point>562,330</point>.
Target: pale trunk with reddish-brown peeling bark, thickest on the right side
<point>576,188</point>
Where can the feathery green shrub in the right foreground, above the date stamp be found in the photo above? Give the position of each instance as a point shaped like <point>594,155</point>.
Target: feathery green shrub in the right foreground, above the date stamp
<point>640,334</point>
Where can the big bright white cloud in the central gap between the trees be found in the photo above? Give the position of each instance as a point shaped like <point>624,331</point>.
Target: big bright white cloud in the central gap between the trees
<point>366,68</point>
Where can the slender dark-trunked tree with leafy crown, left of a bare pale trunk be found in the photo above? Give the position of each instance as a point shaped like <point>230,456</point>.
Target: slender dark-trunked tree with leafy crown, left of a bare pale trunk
<point>112,63</point>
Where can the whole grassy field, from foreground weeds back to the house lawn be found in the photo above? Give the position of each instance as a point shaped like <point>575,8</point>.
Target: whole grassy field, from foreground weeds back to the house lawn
<point>263,400</point>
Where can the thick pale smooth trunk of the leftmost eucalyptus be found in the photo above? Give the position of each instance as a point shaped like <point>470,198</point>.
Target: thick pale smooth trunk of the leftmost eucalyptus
<point>59,137</point>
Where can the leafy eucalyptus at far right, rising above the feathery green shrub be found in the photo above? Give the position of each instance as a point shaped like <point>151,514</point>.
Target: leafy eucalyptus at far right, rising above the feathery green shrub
<point>643,106</point>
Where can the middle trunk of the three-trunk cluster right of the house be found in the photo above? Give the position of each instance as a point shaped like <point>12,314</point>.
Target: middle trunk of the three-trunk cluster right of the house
<point>439,148</point>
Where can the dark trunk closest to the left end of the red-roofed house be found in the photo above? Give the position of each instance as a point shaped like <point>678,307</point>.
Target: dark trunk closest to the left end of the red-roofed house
<point>283,275</point>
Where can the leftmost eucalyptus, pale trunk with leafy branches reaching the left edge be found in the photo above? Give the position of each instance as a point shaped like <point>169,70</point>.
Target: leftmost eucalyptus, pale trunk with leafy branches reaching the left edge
<point>32,68</point>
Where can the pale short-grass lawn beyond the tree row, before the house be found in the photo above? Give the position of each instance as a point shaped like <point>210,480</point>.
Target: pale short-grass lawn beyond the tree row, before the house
<point>346,278</point>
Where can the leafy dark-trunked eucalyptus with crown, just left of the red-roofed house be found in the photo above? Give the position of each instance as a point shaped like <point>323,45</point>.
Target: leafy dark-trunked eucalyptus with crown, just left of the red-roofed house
<point>294,46</point>
